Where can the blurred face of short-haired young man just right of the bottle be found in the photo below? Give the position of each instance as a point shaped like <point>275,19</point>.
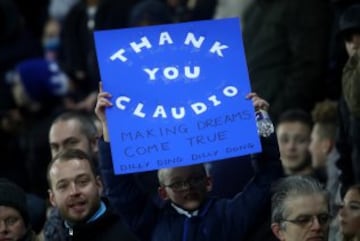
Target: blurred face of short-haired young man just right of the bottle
<point>294,140</point>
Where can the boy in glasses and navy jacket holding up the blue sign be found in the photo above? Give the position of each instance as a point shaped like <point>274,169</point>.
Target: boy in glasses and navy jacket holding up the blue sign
<point>188,213</point>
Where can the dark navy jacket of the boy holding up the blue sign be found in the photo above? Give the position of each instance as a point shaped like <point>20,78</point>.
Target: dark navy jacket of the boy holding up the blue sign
<point>218,219</point>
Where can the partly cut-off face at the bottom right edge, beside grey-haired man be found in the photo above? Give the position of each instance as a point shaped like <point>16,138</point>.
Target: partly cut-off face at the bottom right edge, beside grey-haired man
<point>349,213</point>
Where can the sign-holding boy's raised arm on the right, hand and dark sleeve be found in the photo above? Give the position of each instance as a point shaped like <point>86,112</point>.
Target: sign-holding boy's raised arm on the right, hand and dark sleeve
<point>242,211</point>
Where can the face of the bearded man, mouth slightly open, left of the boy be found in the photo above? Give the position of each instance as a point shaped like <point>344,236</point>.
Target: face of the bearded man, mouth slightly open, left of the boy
<point>74,189</point>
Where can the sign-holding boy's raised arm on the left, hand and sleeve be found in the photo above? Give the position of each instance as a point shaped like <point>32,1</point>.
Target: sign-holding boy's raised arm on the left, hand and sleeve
<point>123,191</point>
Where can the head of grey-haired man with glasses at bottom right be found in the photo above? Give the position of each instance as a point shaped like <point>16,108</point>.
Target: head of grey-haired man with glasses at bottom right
<point>300,210</point>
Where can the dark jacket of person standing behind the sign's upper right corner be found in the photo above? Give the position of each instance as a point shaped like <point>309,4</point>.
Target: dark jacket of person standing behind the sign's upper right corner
<point>286,50</point>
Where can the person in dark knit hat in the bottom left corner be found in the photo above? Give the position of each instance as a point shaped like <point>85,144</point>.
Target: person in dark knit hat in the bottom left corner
<point>14,216</point>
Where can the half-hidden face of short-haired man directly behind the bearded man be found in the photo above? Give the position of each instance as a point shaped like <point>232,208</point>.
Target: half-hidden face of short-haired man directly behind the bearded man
<point>67,134</point>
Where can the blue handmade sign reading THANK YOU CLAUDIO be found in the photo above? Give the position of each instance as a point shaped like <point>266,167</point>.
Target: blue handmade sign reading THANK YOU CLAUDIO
<point>178,93</point>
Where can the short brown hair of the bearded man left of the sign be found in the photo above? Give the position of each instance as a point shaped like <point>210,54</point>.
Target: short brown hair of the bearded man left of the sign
<point>70,154</point>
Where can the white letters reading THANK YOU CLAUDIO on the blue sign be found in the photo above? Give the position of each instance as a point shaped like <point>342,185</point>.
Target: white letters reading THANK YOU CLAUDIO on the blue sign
<point>172,73</point>
